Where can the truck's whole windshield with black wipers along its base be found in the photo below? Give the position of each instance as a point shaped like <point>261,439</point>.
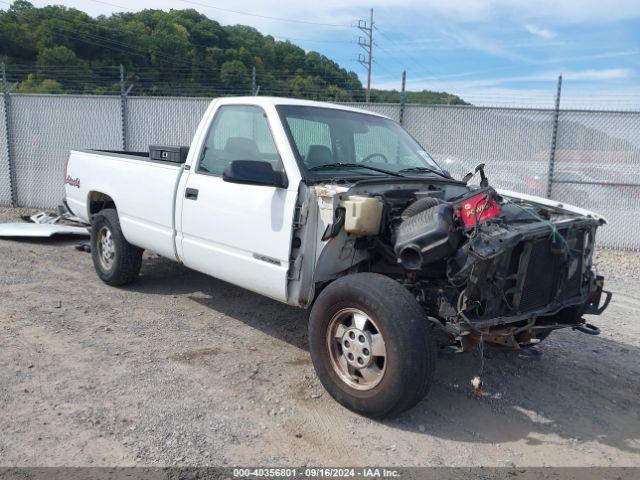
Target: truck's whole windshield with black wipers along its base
<point>355,141</point>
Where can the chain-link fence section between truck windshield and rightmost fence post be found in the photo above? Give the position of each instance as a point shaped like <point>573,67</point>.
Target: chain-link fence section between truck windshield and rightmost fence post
<point>514,144</point>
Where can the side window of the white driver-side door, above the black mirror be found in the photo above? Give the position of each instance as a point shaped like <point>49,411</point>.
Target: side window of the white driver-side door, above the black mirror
<point>238,132</point>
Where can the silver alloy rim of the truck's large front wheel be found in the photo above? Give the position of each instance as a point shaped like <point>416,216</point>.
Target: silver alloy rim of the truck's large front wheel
<point>357,349</point>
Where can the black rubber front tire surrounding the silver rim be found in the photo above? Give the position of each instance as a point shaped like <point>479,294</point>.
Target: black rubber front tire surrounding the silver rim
<point>410,347</point>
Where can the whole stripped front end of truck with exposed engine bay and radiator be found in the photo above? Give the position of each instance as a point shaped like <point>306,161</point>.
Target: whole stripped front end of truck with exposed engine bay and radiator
<point>485,265</point>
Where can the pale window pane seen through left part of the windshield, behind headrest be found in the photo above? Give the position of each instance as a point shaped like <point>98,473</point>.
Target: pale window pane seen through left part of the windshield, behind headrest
<point>313,139</point>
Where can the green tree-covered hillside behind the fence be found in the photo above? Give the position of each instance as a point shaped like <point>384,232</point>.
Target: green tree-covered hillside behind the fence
<point>55,49</point>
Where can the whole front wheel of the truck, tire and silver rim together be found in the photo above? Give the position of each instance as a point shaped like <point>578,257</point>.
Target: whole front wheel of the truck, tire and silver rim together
<point>371,345</point>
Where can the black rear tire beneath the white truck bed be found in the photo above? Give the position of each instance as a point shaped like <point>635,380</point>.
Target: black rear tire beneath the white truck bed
<point>125,264</point>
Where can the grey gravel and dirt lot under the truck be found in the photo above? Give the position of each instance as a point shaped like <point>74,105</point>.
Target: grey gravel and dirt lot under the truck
<point>184,369</point>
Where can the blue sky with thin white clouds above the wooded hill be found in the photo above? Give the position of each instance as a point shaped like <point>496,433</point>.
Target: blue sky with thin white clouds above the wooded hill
<point>491,52</point>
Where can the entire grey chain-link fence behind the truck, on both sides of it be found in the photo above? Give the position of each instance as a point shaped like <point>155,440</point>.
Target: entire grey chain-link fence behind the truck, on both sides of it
<point>596,156</point>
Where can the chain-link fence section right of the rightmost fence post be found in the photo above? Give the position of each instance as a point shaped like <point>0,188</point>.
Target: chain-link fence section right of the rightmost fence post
<point>597,165</point>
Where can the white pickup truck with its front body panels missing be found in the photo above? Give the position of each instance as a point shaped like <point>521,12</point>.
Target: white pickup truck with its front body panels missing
<point>339,210</point>
